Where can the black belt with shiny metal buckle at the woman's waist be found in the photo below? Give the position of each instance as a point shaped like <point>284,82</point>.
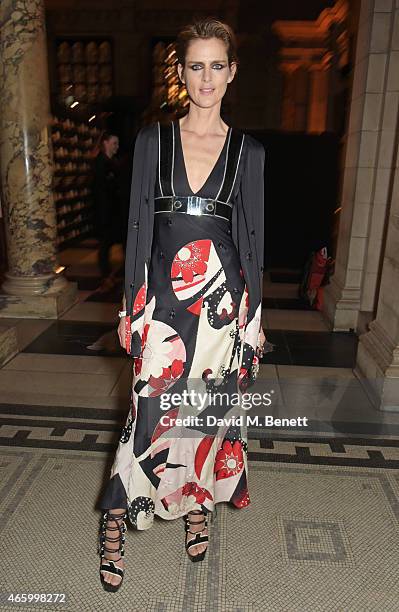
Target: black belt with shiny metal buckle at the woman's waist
<point>193,205</point>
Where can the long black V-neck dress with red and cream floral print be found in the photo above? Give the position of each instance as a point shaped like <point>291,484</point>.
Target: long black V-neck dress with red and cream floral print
<point>189,453</point>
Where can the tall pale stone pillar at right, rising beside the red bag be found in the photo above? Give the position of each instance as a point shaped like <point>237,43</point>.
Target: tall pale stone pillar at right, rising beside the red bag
<point>352,296</point>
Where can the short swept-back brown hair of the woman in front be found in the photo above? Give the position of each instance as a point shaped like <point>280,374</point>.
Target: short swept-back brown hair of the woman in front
<point>206,28</point>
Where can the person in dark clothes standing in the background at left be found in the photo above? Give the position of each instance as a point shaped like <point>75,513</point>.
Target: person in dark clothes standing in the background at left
<point>107,204</point>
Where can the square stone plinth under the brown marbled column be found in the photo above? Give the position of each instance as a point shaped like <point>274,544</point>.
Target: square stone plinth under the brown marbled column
<point>49,304</point>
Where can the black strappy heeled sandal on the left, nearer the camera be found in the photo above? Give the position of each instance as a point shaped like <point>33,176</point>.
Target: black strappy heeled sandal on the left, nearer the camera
<point>110,565</point>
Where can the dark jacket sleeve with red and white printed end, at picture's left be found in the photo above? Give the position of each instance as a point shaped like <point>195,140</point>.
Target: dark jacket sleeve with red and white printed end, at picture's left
<point>138,234</point>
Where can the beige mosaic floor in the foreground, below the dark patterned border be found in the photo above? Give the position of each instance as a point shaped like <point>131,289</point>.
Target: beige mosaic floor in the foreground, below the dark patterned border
<point>314,538</point>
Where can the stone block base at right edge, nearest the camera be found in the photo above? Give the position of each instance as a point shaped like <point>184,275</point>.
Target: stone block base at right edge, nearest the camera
<point>377,368</point>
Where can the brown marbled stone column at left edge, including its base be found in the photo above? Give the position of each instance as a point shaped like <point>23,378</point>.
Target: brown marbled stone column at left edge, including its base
<point>32,287</point>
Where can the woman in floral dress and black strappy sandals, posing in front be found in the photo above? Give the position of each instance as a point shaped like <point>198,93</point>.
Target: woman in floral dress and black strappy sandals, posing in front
<point>191,316</point>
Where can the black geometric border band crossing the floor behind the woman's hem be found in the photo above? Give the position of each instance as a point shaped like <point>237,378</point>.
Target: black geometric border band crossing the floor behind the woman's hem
<point>102,437</point>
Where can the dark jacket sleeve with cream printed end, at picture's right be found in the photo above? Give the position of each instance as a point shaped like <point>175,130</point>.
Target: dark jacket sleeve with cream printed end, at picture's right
<point>250,236</point>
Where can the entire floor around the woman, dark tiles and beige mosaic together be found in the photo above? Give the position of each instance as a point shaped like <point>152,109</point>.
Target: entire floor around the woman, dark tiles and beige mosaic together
<point>321,533</point>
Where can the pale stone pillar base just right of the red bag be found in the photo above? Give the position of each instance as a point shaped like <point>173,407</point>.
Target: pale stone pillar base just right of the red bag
<point>340,306</point>
